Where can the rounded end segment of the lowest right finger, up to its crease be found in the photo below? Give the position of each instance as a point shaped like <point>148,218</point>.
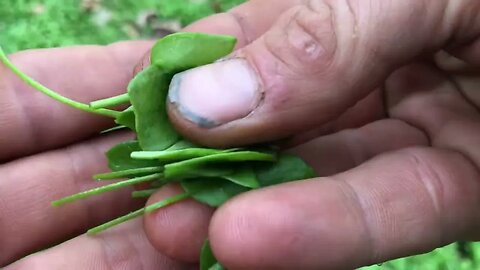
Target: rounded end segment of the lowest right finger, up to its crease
<point>299,225</point>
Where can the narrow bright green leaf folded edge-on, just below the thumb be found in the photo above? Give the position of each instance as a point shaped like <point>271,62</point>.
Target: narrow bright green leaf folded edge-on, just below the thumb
<point>188,167</point>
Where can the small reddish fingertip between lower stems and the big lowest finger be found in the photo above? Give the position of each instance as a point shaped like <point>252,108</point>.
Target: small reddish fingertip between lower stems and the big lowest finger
<point>178,230</point>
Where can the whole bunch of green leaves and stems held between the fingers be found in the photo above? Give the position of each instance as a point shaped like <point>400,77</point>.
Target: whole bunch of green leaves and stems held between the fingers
<point>159,155</point>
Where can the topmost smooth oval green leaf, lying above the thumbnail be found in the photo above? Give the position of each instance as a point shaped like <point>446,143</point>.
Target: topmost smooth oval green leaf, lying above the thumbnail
<point>182,51</point>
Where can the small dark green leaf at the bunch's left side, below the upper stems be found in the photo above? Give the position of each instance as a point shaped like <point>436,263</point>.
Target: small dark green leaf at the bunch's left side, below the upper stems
<point>119,157</point>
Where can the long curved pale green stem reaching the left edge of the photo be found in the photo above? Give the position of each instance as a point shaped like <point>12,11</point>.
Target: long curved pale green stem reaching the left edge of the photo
<point>33,83</point>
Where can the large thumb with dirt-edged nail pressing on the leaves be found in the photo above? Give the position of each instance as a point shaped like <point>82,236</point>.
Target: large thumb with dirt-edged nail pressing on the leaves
<point>316,61</point>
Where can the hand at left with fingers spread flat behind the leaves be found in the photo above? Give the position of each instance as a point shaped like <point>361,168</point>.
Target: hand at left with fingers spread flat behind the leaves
<point>50,150</point>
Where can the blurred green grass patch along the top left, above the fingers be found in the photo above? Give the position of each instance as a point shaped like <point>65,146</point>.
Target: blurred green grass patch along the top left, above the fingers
<point>29,24</point>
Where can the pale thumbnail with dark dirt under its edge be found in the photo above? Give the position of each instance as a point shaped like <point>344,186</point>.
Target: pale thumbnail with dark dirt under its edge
<point>216,94</point>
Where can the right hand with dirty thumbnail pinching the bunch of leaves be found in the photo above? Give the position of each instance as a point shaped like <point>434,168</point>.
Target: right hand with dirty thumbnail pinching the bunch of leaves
<point>396,123</point>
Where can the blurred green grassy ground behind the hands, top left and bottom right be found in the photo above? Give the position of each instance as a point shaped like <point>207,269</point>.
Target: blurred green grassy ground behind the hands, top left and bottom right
<point>26,24</point>
